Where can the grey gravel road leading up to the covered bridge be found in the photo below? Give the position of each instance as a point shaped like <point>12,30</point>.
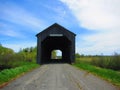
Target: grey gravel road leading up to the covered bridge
<point>59,77</point>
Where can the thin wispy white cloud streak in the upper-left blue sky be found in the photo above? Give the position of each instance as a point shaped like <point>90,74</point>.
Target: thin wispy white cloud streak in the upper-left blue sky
<point>18,15</point>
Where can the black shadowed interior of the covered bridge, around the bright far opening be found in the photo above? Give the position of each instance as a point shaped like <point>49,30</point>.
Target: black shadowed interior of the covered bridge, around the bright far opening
<point>52,43</point>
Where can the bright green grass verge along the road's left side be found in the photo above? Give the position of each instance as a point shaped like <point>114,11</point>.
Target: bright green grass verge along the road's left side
<point>8,74</point>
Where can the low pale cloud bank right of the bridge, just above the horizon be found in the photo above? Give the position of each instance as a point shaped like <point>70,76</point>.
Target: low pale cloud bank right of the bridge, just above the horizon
<point>106,43</point>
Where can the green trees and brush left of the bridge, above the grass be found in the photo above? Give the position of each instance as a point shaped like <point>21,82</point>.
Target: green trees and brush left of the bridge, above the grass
<point>10,59</point>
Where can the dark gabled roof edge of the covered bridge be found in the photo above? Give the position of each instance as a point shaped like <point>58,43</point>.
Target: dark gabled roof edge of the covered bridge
<point>56,25</point>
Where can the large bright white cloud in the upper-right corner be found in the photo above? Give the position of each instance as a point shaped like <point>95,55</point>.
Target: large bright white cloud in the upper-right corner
<point>96,14</point>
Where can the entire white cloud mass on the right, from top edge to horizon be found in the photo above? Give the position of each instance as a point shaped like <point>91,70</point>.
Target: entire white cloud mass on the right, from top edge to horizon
<point>102,16</point>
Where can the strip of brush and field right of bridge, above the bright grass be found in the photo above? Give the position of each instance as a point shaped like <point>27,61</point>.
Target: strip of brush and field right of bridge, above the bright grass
<point>109,62</point>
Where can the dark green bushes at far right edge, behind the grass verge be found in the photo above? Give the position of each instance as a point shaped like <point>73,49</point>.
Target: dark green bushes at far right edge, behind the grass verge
<point>110,62</point>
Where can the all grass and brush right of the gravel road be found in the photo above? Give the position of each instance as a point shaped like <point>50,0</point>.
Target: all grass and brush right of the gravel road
<point>107,67</point>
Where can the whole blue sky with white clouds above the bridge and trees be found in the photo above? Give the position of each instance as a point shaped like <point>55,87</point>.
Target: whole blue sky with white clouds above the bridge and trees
<point>96,23</point>
